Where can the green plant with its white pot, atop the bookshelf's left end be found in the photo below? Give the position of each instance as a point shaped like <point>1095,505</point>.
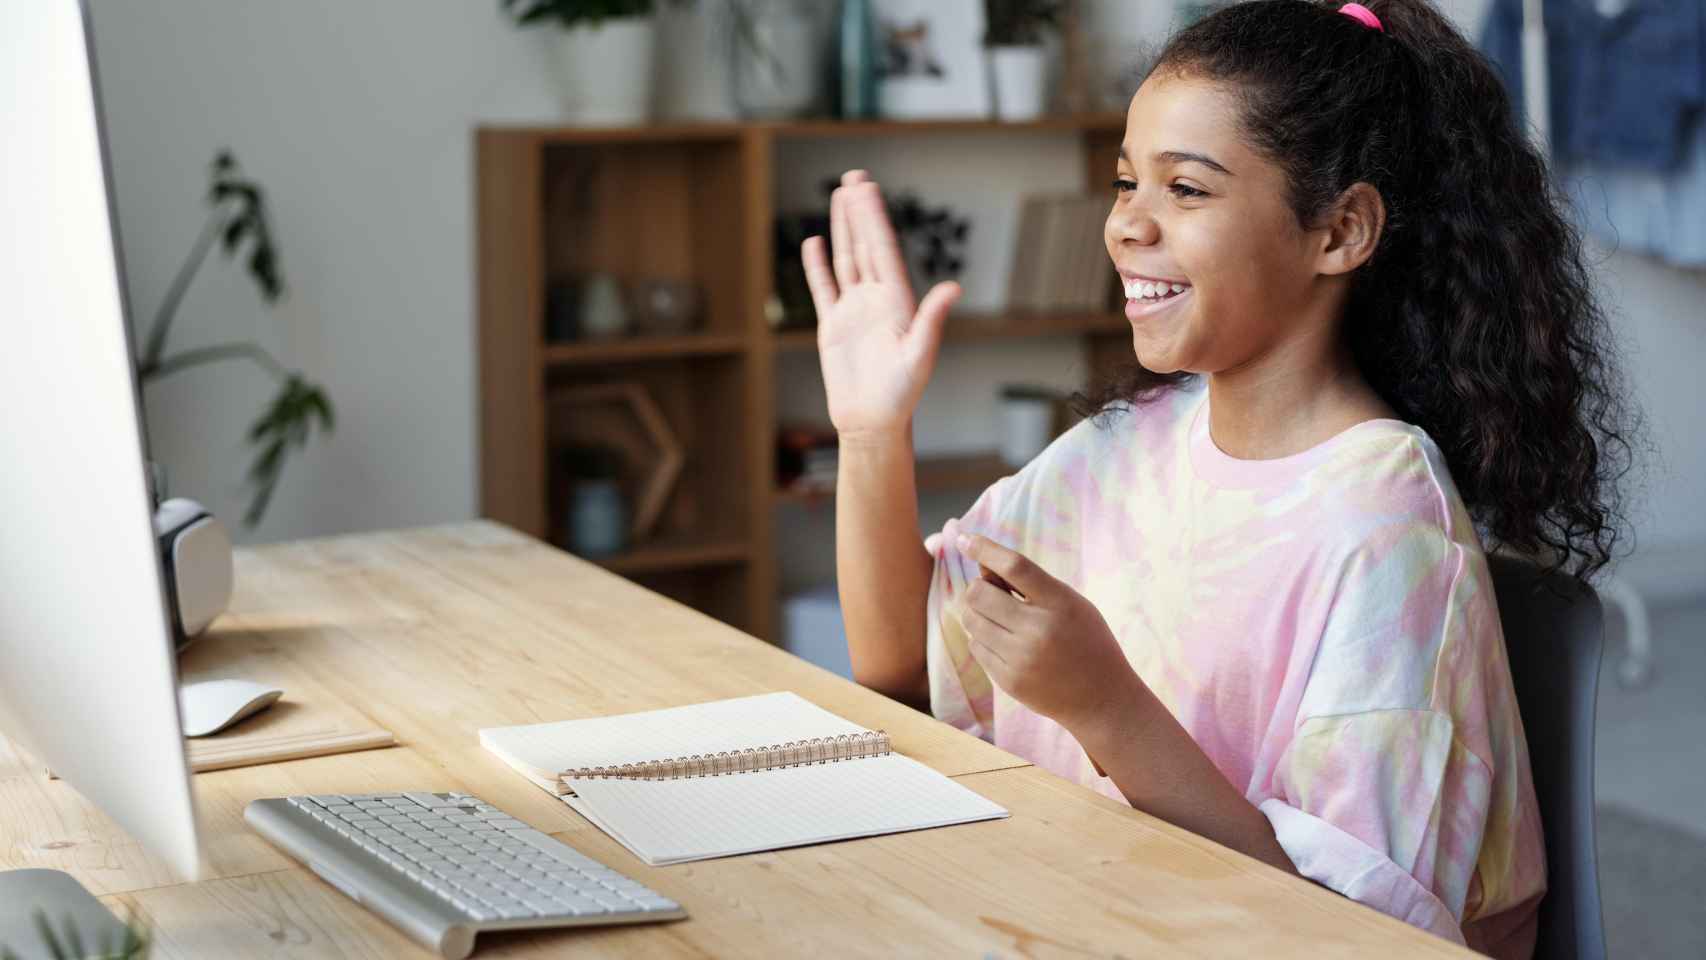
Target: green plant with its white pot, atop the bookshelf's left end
<point>603,55</point>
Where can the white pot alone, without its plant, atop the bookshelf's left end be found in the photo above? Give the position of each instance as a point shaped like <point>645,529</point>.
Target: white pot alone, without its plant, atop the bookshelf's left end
<point>605,72</point>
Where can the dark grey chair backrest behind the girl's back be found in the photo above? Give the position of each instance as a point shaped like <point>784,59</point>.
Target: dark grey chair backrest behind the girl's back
<point>1553,633</point>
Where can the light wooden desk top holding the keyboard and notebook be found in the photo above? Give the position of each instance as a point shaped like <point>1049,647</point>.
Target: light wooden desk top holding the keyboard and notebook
<point>439,632</point>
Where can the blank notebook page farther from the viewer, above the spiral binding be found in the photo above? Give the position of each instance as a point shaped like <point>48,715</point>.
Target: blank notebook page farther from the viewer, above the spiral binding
<point>543,749</point>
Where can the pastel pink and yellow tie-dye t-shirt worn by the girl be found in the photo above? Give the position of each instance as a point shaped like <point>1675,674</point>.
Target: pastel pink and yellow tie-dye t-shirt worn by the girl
<point>1323,625</point>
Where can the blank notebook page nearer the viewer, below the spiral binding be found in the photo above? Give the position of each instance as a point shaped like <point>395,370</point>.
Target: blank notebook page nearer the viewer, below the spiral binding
<point>676,821</point>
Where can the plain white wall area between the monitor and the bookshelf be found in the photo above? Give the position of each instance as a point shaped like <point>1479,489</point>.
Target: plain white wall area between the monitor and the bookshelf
<point>357,120</point>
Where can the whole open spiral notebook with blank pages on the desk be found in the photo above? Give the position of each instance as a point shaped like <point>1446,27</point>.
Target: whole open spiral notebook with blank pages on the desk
<point>734,777</point>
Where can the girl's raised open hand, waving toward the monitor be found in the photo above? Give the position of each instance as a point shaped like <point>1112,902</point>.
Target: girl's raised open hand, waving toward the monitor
<point>874,345</point>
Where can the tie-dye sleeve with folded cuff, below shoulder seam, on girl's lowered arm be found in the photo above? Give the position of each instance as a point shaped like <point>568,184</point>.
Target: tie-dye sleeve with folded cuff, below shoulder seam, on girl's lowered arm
<point>1386,807</point>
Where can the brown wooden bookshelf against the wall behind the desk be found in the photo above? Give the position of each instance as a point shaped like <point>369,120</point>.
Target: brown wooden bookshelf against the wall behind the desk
<point>688,202</point>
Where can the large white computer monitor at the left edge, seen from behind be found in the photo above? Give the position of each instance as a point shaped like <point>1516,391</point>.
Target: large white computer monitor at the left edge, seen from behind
<point>88,676</point>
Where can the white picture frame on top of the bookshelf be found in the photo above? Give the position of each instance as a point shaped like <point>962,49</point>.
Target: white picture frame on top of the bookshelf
<point>931,61</point>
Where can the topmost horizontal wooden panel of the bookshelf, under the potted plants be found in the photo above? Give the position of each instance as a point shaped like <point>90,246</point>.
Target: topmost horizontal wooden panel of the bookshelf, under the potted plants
<point>1108,124</point>
